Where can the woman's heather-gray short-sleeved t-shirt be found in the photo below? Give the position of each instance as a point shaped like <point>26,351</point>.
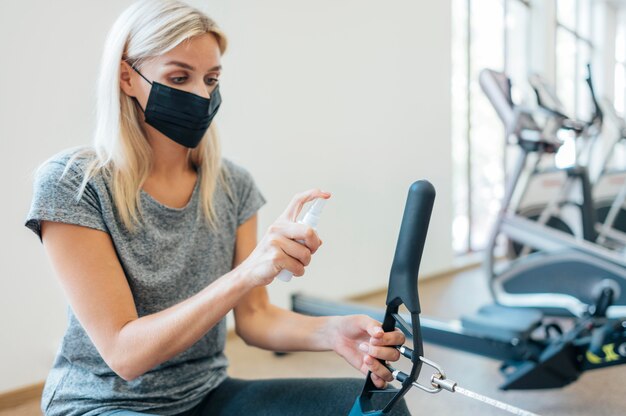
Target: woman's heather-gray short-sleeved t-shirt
<point>172,257</point>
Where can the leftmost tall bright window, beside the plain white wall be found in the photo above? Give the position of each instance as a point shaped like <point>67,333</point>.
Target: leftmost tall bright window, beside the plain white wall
<point>487,34</point>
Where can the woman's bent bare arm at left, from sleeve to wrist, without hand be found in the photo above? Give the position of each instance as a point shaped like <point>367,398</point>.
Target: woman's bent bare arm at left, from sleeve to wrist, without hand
<point>87,266</point>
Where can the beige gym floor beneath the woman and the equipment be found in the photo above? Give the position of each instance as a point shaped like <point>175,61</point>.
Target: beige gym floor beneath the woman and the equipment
<point>598,393</point>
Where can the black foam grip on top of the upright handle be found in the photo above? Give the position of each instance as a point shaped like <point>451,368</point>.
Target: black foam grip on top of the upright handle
<point>410,246</point>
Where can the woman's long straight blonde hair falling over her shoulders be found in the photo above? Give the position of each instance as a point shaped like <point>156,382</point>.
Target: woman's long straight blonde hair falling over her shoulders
<point>120,151</point>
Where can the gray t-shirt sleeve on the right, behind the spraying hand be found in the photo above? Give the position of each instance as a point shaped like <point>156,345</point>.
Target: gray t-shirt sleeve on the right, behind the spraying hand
<point>248,197</point>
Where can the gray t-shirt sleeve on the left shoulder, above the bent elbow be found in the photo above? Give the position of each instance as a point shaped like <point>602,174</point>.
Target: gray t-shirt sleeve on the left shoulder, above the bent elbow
<point>55,199</point>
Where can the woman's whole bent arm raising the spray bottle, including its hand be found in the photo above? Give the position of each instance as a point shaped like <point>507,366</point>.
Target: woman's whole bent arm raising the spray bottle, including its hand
<point>86,263</point>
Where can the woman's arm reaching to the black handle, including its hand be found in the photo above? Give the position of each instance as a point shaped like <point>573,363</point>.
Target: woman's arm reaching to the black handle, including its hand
<point>358,339</point>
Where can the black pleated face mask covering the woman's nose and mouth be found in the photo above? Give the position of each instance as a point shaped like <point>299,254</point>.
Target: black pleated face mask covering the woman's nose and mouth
<point>180,115</point>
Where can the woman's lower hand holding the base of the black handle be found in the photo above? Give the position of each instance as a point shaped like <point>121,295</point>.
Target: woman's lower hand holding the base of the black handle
<point>360,340</point>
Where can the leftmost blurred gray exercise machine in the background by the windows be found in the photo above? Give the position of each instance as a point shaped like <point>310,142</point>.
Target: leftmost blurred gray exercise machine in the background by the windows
<point>567,275</point>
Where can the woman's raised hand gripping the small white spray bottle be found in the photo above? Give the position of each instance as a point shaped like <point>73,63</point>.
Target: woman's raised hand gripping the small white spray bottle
<point>278,249</point>
